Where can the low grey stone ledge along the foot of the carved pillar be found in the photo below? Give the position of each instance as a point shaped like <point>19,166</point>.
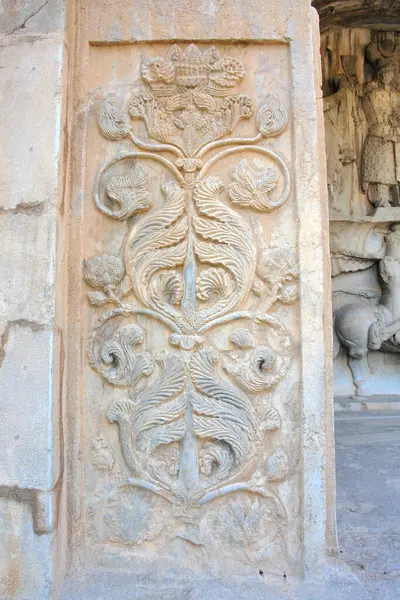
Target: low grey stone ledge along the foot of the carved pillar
<point>335,582</point>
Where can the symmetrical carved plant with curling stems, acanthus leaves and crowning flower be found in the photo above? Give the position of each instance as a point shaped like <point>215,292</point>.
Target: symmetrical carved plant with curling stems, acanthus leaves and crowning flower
<point>190,265</point>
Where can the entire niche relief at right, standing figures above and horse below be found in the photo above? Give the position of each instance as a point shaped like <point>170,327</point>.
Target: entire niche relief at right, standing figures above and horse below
<point>362,120</point>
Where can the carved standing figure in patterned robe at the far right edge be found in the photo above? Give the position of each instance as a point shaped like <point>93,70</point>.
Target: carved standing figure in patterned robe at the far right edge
<point>381,104</point>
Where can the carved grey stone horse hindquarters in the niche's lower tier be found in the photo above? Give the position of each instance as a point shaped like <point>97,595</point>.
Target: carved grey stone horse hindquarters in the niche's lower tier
<point>360,327</point>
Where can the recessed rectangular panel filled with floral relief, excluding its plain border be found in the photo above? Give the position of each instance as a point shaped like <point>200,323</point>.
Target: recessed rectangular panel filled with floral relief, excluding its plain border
<point>190,402</point>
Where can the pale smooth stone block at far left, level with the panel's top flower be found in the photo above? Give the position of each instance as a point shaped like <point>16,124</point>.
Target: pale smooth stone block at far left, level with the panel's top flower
<point>30,95</point>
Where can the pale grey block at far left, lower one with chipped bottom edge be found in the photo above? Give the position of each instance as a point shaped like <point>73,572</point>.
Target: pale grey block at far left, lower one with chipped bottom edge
<point>26,436</point>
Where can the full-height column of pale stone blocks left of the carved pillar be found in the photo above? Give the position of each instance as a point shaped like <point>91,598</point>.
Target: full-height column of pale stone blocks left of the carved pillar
<point>33,70</point>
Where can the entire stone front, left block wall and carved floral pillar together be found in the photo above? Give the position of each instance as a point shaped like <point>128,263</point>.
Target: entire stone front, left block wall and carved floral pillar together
<point>187,441</point>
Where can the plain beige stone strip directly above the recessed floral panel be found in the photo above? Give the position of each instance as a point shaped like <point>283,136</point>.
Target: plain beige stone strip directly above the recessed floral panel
<point>148,21</point>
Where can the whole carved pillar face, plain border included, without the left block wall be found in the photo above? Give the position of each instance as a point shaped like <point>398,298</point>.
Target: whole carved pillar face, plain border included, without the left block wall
<point>196,206</point>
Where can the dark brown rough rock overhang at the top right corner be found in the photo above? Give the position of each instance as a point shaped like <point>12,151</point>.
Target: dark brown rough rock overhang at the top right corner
<point>377,14</point>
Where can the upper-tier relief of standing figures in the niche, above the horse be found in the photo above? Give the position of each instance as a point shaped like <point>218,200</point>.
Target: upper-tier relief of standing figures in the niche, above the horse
<point>363,131</point>
